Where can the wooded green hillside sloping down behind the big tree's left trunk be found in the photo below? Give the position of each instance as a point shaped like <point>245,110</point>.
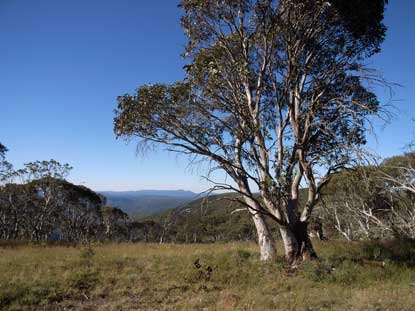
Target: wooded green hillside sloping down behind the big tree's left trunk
<point>208,219</point>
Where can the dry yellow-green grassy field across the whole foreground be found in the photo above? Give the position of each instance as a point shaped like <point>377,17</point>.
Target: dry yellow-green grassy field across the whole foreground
<point>205,277</point>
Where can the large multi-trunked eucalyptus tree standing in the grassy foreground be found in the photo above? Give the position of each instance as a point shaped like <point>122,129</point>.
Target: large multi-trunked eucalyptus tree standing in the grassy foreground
<point>276,94</point>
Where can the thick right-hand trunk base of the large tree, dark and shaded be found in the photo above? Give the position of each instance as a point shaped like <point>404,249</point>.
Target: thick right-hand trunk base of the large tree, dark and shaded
<point>297,243</point>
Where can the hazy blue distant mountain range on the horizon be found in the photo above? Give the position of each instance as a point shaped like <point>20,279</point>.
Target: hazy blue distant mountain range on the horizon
<point>148,202</point>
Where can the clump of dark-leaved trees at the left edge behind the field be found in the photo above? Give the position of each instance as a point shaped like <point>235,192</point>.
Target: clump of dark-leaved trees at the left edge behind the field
<point>36,201</point>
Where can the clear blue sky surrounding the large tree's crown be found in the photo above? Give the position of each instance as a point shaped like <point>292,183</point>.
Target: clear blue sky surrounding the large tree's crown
<point>64,62</point>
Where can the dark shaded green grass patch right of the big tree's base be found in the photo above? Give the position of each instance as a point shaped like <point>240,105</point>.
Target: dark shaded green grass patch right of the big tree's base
<point>365,264</point>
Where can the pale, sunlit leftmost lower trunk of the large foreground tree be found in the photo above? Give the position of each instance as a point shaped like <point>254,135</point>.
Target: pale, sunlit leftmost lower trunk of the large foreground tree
<point>265,240</point>
